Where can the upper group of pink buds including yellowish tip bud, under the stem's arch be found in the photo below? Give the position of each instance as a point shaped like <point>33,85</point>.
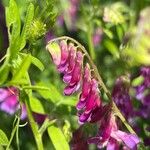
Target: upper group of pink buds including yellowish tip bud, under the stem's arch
<point>69,62</point>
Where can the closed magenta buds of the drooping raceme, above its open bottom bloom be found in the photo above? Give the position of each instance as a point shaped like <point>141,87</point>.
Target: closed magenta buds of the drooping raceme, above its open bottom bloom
<point>69,61</point>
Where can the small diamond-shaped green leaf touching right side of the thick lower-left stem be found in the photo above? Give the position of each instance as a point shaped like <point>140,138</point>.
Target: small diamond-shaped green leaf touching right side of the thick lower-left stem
<point>36,105</point>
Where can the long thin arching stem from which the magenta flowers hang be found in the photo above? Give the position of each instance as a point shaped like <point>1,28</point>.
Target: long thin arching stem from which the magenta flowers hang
<point>101,83</point>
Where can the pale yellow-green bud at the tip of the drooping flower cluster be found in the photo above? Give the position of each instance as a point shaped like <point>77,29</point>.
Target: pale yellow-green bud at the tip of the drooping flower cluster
<point>55,52</point>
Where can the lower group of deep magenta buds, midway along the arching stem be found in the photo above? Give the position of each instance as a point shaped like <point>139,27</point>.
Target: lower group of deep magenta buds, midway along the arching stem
<point>89,99</point>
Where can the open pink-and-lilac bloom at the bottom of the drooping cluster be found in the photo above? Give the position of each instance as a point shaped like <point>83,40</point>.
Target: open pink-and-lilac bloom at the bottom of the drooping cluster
<point>110,136</point>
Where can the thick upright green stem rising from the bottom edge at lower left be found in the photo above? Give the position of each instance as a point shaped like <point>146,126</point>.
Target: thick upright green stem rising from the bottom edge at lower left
<point>34,127</point>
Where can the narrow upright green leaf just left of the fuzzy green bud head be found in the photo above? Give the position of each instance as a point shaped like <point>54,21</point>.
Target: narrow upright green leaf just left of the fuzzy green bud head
<point>27,25</point>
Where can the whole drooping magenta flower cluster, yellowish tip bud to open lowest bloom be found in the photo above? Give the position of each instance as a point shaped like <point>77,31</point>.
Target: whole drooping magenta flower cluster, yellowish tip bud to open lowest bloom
<point>69,61</point>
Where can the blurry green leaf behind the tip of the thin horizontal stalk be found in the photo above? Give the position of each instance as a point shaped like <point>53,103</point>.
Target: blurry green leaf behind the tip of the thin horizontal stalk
<point>53,94</point>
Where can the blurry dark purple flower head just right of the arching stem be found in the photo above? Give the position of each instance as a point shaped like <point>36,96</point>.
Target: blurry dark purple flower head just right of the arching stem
<point>122,98</point>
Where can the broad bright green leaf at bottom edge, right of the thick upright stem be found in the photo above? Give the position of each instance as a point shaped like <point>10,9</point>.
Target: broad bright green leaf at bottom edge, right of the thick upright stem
<point>58,138</point>
